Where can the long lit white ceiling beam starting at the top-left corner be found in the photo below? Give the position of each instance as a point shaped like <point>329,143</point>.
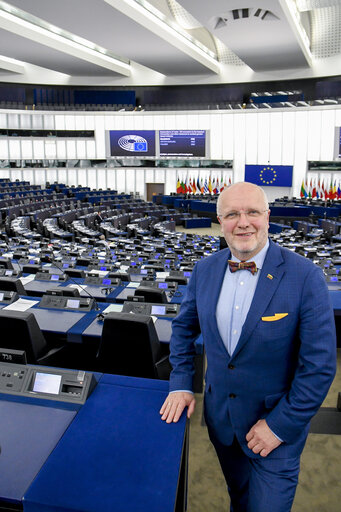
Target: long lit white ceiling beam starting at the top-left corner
<point>26,25</point>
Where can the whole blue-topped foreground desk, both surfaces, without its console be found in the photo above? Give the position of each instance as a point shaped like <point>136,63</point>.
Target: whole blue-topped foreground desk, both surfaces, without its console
<point>111,454</point>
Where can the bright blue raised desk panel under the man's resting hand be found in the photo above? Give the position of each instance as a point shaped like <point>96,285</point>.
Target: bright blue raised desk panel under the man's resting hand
<point>117,455</point>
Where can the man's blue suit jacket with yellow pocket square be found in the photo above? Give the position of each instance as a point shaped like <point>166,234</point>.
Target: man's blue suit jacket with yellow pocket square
<point>282,366</point>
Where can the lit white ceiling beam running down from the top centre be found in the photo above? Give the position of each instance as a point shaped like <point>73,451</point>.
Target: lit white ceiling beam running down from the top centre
<point>154,20</point>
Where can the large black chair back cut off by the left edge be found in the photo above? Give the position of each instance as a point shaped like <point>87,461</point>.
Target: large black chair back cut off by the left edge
<point>20,331</point>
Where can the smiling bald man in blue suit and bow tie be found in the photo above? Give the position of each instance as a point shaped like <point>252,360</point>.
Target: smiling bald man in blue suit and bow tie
<point>268,328</point>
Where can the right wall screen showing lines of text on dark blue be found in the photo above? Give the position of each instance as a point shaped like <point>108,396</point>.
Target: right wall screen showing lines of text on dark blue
<point>190,143</point>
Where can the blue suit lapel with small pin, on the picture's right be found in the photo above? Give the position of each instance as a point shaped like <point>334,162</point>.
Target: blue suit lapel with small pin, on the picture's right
<point>271,275</point>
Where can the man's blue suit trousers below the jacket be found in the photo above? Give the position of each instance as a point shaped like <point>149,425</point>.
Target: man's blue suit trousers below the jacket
<point>257,485</point>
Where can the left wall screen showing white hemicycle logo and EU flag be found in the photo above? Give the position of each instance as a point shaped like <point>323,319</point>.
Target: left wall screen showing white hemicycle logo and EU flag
<point>130,143</point>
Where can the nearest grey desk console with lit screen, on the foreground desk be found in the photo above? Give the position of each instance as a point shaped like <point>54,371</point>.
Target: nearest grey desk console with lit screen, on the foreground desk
<point>48,383</point>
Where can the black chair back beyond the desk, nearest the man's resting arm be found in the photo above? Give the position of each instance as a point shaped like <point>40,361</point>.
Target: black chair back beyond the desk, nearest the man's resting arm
<point>129,345</point>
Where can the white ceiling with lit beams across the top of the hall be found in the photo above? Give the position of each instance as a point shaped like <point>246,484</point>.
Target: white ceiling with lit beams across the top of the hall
<point>160,42</point>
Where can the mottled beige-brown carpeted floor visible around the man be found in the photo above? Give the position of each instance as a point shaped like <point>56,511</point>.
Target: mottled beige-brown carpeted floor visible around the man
<point>319,488</point>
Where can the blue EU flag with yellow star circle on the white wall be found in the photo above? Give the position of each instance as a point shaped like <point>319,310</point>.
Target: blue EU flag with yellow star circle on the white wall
<point>269,175</point>
